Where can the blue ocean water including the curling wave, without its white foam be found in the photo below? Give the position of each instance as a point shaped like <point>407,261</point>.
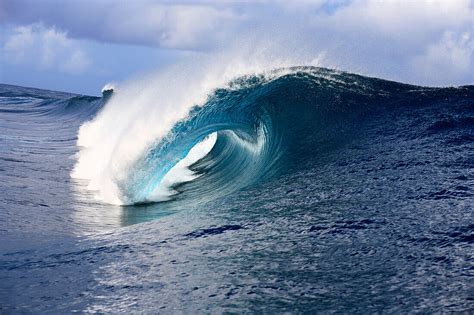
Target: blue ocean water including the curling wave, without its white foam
<point>324,191</point>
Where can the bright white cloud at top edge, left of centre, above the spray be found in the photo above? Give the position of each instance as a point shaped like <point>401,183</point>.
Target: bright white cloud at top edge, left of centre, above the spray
<point>166,26</point>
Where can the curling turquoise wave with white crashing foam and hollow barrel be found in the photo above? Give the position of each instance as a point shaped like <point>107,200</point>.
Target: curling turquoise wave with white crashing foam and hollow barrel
<point>253,128</point>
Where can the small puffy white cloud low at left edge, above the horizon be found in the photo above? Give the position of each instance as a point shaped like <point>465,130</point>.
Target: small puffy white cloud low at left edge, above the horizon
<point>45,49</point>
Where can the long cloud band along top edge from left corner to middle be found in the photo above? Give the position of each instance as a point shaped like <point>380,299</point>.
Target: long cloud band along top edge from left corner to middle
<point>176,25</point>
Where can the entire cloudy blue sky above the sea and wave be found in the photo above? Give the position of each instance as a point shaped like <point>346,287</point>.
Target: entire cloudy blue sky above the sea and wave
<point>81,45</point>
